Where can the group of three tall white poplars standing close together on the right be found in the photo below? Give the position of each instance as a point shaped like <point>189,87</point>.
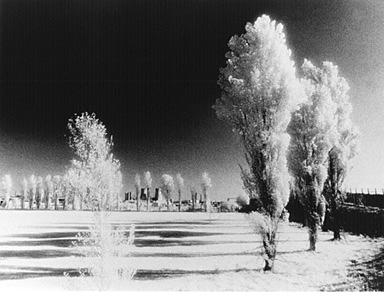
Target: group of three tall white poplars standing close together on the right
<point>296,132</point>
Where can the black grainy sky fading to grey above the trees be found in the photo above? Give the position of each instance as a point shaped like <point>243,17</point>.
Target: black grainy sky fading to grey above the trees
<point>148,69</point>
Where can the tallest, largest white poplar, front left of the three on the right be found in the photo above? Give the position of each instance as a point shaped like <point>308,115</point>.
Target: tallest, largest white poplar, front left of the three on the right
<point>259,92</point>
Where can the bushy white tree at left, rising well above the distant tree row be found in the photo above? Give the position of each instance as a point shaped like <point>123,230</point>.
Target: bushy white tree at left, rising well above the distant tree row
<point>95,160</point>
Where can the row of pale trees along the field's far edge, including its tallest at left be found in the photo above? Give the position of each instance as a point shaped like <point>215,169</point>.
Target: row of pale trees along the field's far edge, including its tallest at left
<point>93,177</point>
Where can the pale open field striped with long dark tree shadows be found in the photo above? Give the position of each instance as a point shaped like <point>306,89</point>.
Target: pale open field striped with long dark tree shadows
<point>180,251</point>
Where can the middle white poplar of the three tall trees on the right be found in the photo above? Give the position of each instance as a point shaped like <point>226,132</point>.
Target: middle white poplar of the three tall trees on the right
<point>313,133</point>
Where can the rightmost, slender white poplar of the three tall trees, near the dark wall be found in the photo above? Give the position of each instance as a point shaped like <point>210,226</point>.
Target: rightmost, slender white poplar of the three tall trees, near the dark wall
<point>345,146</point>
